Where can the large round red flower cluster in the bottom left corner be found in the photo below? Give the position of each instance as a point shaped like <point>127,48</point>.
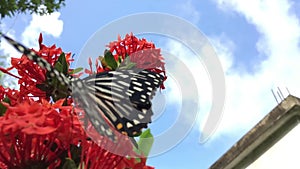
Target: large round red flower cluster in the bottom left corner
<point>29,135</point>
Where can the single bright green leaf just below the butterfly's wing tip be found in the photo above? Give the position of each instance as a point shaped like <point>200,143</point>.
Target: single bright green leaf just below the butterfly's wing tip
<point>145,142</point>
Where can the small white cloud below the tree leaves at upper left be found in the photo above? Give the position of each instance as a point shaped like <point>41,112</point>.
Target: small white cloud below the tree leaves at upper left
<point>46,24</point>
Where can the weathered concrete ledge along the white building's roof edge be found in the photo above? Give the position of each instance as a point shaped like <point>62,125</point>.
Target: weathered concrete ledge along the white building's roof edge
<point>262,136</point>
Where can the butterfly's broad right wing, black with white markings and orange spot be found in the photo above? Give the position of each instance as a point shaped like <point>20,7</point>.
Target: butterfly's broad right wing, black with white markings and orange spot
<point>124,96</point>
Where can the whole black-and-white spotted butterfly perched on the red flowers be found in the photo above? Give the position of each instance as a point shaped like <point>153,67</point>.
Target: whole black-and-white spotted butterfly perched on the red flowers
<point>113,100</point>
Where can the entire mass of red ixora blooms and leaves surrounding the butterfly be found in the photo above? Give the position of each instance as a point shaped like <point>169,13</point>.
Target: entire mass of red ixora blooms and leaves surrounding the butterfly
<point>39,127</point>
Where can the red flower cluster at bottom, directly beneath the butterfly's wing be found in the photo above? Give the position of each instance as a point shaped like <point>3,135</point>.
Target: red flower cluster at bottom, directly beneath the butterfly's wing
<point>102,154</point>
